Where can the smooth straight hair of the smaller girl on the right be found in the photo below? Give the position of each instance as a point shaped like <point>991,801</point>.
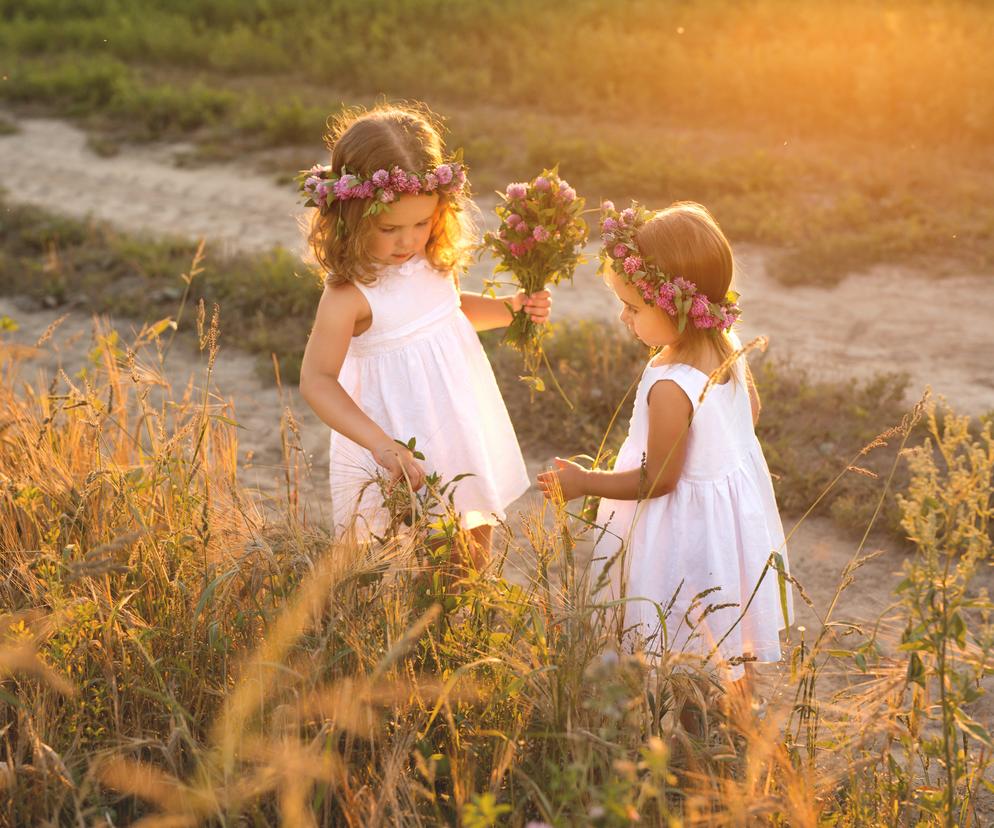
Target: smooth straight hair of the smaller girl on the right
<point>685,240</point>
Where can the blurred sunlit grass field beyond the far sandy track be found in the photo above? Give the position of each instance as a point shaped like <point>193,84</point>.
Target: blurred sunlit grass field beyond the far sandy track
<point>843,133</point>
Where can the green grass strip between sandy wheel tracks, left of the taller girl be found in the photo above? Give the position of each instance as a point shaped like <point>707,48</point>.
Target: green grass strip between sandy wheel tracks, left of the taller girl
<point>59,261</point>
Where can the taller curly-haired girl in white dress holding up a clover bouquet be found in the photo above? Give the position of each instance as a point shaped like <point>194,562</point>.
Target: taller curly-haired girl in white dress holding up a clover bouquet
<point>393,353</point>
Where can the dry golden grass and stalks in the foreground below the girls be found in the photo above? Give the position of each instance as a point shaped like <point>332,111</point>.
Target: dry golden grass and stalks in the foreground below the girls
<point>174,656</point>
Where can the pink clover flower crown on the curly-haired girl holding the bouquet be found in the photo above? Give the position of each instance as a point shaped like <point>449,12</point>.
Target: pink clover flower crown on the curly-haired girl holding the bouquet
<point>321,186</point>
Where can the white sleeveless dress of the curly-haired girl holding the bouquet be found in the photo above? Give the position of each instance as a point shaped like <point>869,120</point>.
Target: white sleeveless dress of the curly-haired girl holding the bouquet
<point>420,371</point>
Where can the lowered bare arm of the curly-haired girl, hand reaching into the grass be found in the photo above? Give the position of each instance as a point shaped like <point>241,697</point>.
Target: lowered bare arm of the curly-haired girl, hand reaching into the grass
<point>341,311</point>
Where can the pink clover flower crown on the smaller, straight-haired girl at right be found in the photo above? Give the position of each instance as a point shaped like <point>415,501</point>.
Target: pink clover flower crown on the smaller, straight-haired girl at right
<point>675,295</point>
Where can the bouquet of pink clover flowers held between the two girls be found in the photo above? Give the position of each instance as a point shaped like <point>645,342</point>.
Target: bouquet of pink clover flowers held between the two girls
<point>539,242</point>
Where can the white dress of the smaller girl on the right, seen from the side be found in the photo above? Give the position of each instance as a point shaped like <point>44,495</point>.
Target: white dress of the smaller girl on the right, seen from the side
<point>717,528</point>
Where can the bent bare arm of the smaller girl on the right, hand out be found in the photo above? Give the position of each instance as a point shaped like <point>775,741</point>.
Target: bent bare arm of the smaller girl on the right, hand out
<point>669,416</point>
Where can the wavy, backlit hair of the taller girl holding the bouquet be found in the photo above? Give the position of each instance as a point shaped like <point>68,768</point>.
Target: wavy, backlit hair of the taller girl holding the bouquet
<point>409,137</point>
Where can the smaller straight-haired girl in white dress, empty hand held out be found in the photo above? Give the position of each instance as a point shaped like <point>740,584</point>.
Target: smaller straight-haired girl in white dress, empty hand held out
<point>689,505</point>
